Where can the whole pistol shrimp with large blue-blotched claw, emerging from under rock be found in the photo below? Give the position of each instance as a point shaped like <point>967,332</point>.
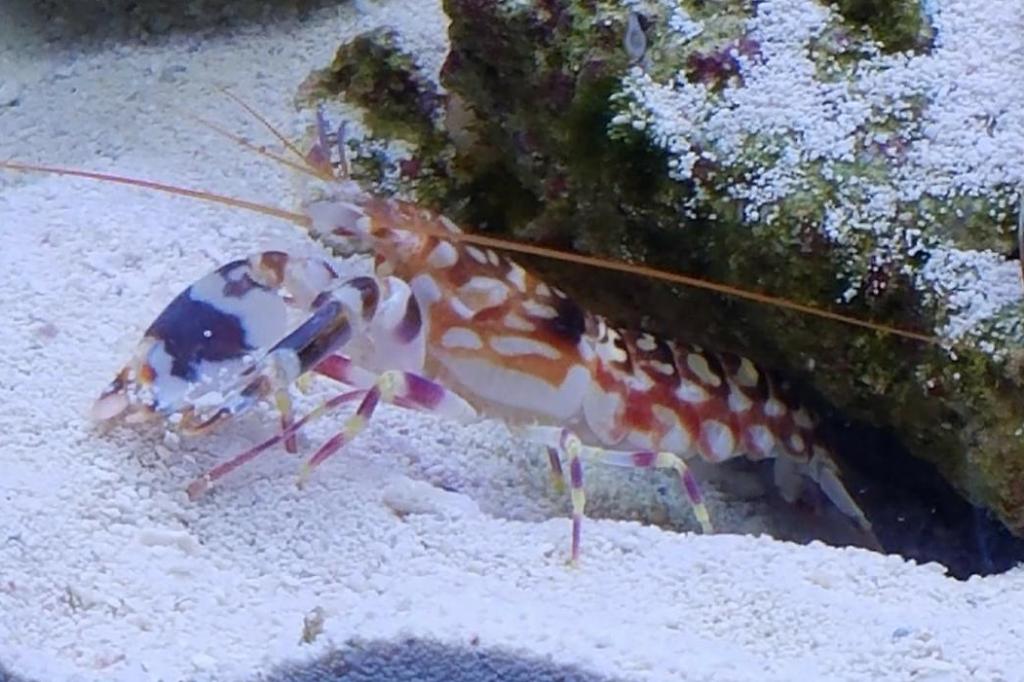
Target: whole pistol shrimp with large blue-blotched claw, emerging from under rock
<point>458,330</point>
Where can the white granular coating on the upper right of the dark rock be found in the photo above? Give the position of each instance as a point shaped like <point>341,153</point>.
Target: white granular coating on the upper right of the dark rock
<point>901,141</point>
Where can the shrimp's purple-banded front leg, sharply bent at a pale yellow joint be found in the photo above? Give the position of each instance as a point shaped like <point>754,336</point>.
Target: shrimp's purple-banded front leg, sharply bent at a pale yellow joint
<point>403,389</point>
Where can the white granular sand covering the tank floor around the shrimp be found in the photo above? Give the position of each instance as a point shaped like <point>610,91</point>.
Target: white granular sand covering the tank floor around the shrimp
<point>422,531</point>
